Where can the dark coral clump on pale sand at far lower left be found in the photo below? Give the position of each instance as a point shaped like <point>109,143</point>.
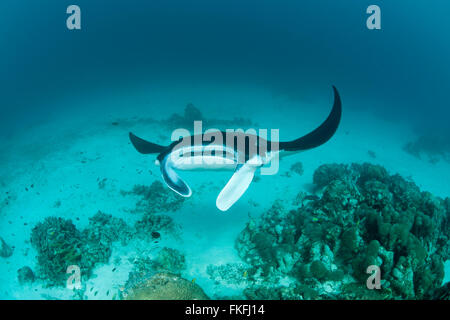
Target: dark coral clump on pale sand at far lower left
<point>60,244</point>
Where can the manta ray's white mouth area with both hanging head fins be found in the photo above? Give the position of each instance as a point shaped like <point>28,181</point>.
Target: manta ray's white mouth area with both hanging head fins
<point>210,158</point>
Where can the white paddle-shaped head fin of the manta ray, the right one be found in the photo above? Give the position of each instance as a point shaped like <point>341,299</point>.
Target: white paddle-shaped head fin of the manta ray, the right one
<point>236,186</point>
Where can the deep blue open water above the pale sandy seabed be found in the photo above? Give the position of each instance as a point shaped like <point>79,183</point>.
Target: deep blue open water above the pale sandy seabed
<point>291,47</point>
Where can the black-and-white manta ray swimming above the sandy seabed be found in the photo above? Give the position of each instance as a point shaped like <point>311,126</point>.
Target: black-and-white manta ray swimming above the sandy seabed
<point>242,152</point>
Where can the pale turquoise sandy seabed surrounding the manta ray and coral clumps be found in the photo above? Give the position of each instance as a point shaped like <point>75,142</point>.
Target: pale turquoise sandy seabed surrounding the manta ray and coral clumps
<point>62,160</point>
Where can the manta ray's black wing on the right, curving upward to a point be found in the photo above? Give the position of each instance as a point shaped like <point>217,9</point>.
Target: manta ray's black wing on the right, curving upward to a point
<point>321,134</point>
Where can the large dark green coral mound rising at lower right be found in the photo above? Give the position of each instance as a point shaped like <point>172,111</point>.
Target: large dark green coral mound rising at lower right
<point>322,248</point>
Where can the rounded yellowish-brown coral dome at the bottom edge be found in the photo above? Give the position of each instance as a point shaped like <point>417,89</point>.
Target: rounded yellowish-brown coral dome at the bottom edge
<point>164,286</point>
